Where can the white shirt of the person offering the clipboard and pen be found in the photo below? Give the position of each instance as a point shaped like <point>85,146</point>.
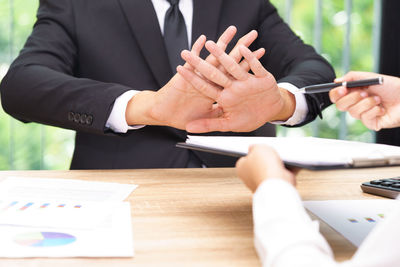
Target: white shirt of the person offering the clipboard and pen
<point>285,236</point>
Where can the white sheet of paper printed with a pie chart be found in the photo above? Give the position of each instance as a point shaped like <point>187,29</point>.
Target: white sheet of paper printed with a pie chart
<point>112,239</point>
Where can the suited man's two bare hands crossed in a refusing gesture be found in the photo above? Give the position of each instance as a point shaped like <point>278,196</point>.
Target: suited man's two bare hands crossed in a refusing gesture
<point>215,94</point>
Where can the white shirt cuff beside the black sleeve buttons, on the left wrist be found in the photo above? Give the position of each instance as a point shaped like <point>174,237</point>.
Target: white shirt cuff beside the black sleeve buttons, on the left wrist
<point>117,121</point>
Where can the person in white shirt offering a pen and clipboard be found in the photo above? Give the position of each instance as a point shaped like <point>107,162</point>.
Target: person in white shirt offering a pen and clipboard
<point>284,233</point>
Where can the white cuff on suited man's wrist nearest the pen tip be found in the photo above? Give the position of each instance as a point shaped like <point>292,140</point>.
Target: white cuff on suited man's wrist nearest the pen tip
<point>301,110</point>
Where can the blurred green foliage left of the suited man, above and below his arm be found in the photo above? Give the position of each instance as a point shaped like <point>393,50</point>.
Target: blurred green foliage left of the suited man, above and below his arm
<point>26,146</point>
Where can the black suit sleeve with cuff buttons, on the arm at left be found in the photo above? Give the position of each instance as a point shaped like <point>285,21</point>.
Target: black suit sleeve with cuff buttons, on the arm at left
<point>35,93</point>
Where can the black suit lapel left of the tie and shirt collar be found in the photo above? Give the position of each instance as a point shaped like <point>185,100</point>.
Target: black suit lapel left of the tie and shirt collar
<point>143,21</point>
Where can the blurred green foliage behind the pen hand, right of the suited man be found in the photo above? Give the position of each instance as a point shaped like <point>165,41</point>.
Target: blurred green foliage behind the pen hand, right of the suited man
<point>334,19</point>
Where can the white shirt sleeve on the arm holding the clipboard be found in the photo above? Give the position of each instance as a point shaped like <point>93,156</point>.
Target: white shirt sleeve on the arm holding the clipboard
<point>285,236</point>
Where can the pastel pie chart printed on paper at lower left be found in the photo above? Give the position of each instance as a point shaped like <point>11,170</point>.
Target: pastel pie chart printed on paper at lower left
<point>44,239</point>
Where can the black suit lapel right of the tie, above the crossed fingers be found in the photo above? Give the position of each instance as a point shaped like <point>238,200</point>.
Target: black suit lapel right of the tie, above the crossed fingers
<point>206,19</point>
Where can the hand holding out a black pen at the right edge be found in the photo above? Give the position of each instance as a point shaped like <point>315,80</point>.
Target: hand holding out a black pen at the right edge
<point>377,106</point>
